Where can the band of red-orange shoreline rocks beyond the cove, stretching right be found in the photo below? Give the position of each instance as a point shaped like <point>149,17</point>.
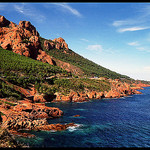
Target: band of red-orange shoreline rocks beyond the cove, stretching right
<point>118,89</point>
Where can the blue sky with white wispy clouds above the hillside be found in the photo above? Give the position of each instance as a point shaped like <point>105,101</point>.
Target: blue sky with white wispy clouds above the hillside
<point>113,35</point>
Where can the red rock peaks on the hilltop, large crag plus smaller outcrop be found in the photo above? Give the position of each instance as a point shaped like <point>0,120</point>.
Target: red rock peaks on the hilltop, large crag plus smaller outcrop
<point>23,39</point>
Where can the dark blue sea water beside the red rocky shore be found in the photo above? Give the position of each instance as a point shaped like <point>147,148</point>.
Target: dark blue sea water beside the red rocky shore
<point>123,122</point>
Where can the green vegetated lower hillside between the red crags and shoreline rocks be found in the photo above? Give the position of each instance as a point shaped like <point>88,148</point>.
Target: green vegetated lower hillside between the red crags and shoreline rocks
<point>48,79</point>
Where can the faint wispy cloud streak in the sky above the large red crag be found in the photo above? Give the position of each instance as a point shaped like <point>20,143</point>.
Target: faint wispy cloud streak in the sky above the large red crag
<point>29,11</point>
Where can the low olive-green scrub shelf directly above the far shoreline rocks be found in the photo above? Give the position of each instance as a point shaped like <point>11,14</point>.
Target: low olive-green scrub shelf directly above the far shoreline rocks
<point>64,86</point>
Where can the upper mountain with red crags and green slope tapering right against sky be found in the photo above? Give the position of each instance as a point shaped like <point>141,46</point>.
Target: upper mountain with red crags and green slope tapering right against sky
<point>24,39</point>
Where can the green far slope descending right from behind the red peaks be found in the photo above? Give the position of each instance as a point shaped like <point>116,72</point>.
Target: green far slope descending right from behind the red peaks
<point>88,67</point>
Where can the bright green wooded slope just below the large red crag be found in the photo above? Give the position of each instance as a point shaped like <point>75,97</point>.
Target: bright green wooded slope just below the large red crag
<point>25,65</point>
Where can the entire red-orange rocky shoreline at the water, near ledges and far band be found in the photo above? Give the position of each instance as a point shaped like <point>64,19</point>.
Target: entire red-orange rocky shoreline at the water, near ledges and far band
<point>29,115</point>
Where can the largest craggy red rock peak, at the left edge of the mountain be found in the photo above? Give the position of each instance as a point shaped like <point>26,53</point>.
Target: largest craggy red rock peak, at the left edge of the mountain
<point>22,39</point>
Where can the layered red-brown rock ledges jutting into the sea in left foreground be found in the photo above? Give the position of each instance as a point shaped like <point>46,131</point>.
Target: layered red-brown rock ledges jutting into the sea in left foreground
<point>30,116</point>
